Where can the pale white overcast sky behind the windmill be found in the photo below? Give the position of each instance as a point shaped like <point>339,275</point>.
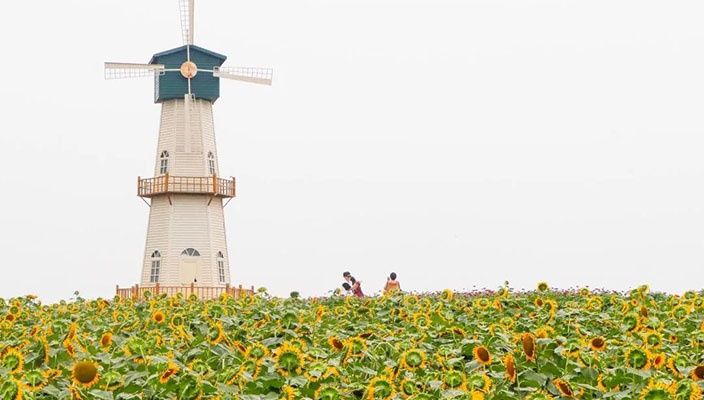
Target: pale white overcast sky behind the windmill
<point>459,143</point>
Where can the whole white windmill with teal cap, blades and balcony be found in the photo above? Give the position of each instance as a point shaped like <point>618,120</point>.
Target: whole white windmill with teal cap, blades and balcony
<point>186,243</point>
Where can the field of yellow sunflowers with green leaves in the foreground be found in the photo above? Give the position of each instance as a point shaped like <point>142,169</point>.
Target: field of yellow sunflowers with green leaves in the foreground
<point>540,344</point>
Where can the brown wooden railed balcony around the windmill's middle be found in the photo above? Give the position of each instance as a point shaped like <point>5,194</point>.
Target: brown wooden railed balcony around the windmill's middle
<point>166,184</point>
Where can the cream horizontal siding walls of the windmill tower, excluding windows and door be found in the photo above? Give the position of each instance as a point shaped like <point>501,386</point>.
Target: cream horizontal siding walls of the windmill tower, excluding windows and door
<point>181,221</point>
